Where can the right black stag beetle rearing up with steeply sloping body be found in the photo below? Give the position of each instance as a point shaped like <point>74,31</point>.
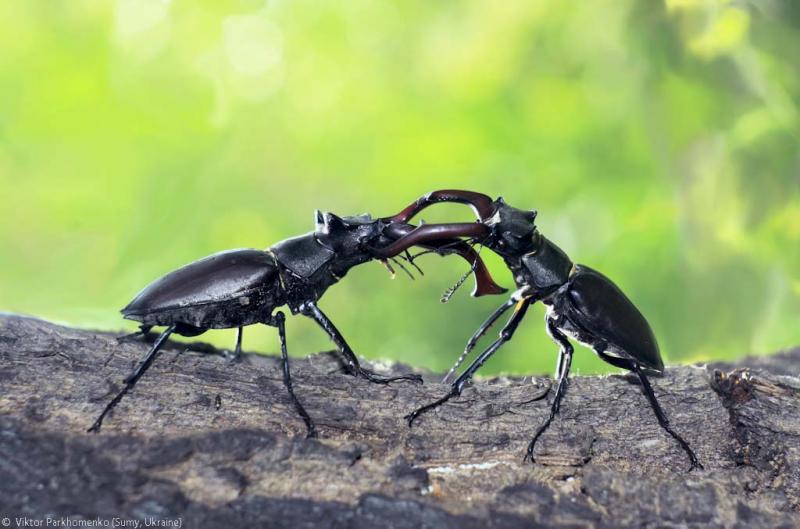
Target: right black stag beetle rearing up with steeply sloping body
<point>582,303</point>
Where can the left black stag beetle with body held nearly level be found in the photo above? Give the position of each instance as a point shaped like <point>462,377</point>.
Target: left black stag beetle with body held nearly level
<point>242,287</point>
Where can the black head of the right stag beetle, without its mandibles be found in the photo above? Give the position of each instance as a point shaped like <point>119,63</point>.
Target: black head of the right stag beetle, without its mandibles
<point>512,229</point>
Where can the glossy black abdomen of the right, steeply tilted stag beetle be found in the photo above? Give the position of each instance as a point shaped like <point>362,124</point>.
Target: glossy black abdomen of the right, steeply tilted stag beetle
<point>599,307</point>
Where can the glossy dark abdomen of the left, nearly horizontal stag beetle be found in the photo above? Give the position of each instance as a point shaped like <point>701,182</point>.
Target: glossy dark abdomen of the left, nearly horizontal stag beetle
<point>218,291</point>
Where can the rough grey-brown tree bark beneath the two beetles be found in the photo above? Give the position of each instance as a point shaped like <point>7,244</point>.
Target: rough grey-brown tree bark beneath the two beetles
<point>216,444</point>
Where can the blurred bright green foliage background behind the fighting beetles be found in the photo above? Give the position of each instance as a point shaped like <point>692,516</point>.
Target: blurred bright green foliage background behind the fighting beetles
<point>658,140</point>
